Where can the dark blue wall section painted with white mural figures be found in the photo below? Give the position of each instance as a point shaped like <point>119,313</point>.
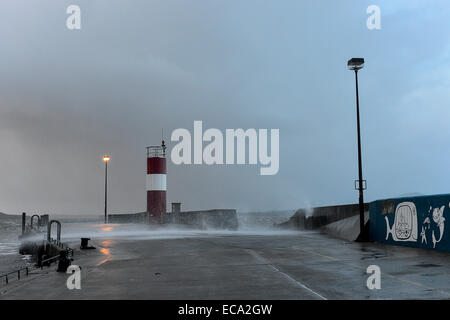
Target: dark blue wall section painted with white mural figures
<point>415,221</point>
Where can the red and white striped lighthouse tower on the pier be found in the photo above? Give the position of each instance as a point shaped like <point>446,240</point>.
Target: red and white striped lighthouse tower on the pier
<point>156,183</point>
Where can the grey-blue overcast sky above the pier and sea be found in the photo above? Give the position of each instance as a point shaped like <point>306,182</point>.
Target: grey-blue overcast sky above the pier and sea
<point>135,67</point>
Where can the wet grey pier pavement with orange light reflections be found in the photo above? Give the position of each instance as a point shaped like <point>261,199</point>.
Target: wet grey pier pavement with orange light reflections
<point>291,265</point>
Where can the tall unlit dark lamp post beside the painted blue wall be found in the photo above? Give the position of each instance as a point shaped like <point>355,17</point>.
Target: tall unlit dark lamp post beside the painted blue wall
<point>356,64</point>
